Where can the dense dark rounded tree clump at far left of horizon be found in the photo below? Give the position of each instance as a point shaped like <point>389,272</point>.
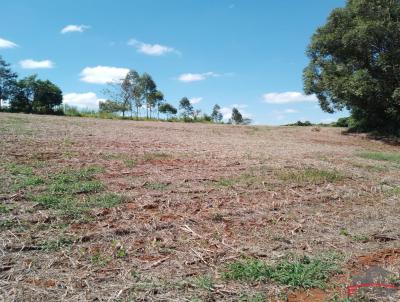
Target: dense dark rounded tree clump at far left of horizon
<point>36,96</point>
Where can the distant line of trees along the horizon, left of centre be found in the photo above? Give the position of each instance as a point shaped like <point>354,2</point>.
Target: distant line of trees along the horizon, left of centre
<point>130,96</point>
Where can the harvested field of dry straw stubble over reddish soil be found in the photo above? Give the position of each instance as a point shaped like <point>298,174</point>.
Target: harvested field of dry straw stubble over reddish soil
<point>113,210</point>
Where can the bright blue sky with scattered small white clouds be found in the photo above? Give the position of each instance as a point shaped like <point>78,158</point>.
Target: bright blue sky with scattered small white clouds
<point>248,54</point>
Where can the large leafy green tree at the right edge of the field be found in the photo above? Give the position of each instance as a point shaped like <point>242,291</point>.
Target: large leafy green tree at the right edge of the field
<point>355,63</point>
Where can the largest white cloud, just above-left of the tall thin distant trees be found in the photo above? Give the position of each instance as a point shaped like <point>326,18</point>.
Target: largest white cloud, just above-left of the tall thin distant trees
<point>103,74</point>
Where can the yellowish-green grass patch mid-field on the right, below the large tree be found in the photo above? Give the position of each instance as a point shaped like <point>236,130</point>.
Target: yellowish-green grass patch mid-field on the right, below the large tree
<point>310,175</point>
